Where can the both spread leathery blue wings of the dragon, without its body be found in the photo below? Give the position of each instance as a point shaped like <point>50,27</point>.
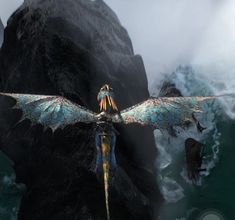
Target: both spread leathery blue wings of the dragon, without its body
<point>58,112</point>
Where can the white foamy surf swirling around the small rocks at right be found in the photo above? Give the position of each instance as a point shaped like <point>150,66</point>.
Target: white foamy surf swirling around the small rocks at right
<point>172,171</point>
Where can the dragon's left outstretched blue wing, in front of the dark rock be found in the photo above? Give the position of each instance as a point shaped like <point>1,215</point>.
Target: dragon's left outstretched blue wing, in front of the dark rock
<point>51,111</point>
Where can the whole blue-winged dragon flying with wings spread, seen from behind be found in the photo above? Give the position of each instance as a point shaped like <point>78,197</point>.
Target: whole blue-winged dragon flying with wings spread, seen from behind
<point>57,112</point>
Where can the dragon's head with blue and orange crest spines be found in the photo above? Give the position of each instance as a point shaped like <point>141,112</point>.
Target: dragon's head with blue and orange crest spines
<point>106,99</point>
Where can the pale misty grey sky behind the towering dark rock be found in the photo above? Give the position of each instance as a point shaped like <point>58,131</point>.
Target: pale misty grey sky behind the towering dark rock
<point>168,33</point>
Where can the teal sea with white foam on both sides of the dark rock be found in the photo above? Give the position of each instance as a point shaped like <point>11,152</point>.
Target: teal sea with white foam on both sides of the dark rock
<point>184,201</point>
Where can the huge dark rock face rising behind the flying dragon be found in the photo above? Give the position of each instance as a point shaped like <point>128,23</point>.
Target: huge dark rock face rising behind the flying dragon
<point>71,48</point>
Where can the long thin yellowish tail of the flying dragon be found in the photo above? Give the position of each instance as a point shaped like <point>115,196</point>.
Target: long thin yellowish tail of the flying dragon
<point>105,145</point>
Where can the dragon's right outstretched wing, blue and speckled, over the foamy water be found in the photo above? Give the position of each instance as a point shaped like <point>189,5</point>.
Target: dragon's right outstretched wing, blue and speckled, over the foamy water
<point>161,113</point>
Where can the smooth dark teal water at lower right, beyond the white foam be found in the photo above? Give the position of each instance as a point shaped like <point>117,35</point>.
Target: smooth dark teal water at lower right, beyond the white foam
<point>217,191</point>
